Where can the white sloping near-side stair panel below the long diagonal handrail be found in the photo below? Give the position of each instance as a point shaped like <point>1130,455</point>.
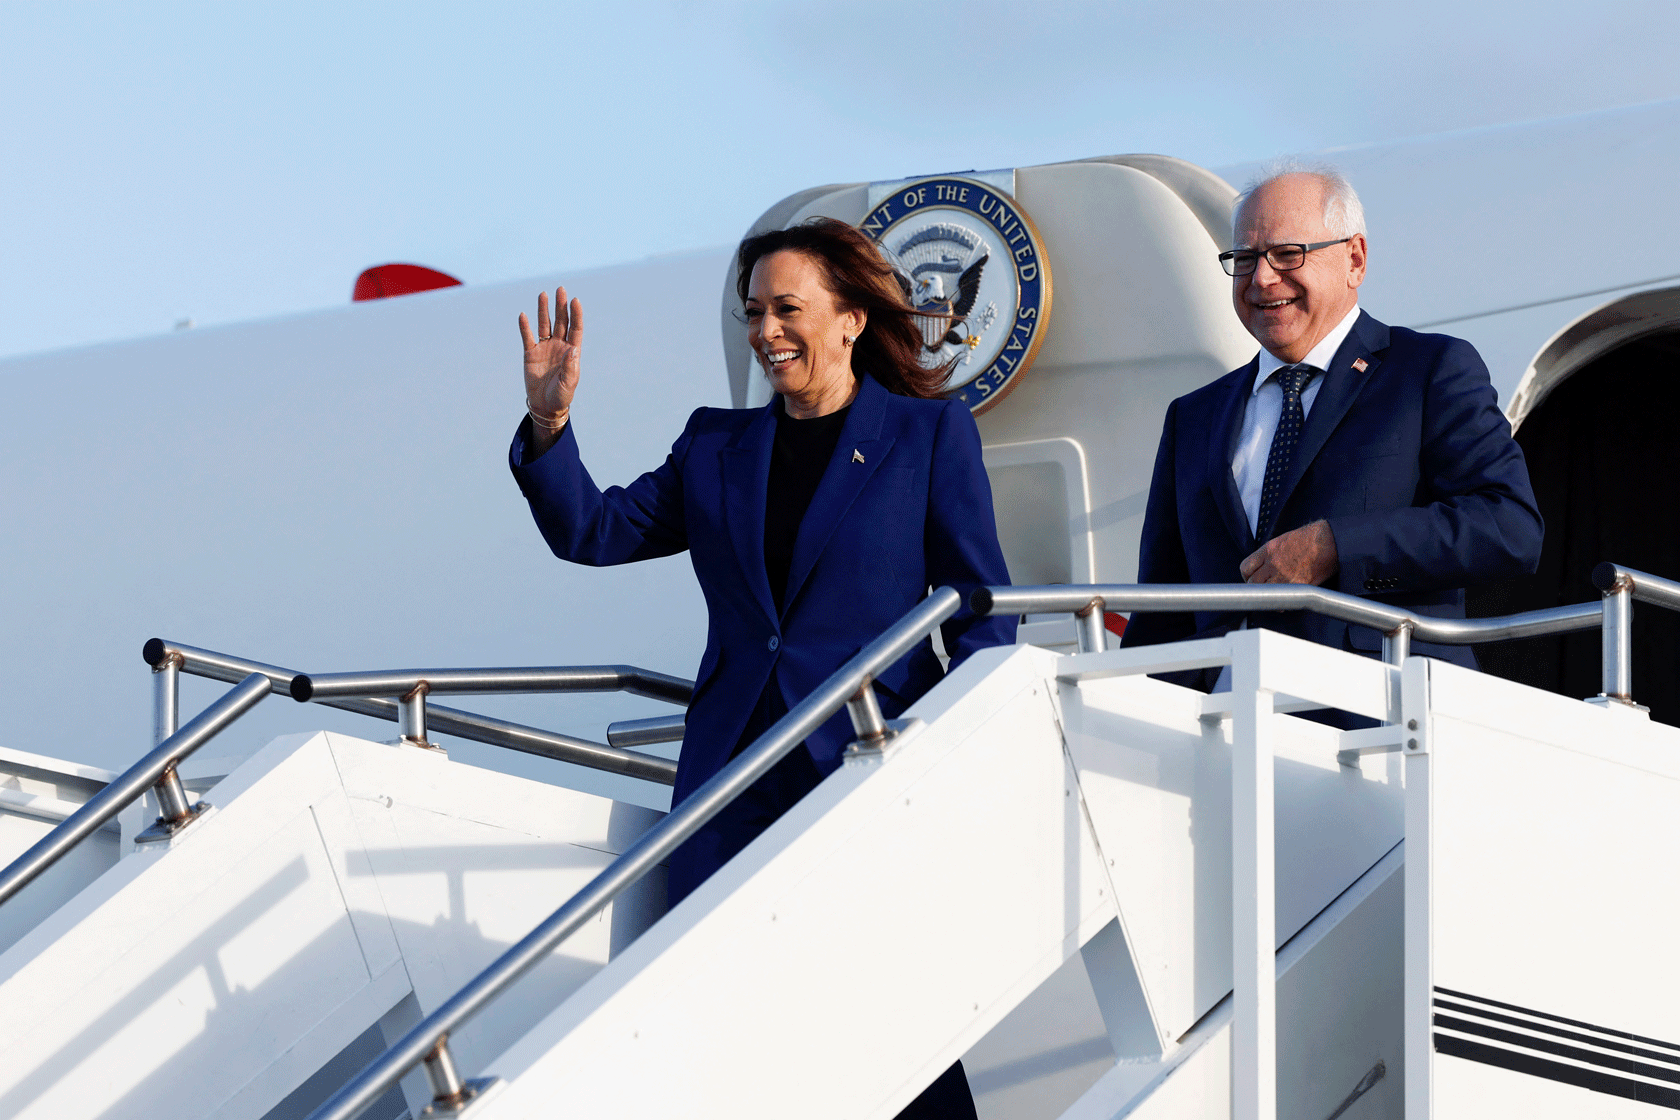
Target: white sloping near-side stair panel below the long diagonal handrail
<point>858,948</point>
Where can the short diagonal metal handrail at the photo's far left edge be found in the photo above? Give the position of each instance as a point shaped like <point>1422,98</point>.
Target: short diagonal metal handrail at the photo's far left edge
<point>157,770</point>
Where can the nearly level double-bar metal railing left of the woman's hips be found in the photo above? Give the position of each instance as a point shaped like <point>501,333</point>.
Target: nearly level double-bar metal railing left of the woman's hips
<point>486,730</point>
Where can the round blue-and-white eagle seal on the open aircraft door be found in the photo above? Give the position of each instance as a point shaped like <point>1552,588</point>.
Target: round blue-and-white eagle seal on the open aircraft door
<point>970,259</point>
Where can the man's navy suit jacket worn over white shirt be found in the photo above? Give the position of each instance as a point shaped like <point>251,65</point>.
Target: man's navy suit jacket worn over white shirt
<point>1409,461</point>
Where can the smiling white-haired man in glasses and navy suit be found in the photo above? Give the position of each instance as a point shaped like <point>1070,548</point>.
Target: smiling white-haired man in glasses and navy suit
<point>1348,454</point>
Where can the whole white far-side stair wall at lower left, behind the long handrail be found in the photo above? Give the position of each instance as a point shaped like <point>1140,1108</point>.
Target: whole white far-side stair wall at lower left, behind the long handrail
<point>333,881</point>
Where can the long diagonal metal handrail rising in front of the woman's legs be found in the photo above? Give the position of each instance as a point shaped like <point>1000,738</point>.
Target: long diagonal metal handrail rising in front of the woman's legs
<point>848,688</point>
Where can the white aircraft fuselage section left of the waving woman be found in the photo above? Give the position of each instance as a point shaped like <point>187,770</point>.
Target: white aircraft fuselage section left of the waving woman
<point>332,493</point>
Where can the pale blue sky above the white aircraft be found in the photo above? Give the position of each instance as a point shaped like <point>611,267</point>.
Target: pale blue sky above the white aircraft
<point>229,162</point>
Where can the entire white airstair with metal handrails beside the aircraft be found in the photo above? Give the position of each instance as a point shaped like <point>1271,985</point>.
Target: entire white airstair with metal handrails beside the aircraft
<point>1461,911</point>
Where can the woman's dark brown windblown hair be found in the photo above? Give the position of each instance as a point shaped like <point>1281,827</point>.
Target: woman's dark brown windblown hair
<point>858,276</point>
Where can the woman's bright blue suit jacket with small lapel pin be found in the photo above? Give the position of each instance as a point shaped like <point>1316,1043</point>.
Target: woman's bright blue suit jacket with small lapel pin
<point>915,513</point>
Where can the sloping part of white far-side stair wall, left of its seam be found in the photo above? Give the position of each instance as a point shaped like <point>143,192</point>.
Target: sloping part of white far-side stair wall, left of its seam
<point>233,933</point>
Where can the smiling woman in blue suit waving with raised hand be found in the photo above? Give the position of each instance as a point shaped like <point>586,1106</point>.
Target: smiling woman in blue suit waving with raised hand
<point>814,523</point>
